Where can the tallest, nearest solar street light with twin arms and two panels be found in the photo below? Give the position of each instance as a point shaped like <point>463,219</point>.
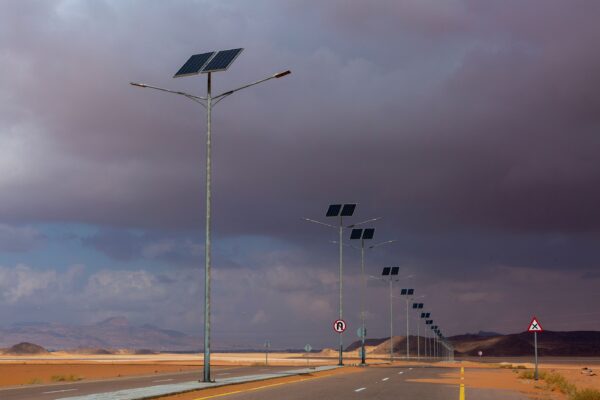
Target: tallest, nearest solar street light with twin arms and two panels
<point>208,63</point>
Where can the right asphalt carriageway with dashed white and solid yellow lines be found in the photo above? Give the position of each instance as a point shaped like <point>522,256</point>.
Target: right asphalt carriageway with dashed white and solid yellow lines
<point>374,384</point>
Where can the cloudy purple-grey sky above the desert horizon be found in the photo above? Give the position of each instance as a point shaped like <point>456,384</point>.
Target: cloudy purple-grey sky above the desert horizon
<point>472,128</point>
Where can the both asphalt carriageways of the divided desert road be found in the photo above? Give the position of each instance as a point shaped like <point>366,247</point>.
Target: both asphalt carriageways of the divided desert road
<point>380,383</point>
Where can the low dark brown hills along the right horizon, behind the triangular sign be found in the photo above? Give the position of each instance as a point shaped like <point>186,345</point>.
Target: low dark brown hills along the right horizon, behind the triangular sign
<point>575,343</point>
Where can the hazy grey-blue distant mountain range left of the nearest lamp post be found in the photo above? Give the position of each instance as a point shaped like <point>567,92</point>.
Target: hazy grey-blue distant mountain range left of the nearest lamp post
<point>112,333</point>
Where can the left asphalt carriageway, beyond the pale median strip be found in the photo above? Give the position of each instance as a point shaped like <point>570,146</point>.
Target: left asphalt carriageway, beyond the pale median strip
<point>59,390</point>
